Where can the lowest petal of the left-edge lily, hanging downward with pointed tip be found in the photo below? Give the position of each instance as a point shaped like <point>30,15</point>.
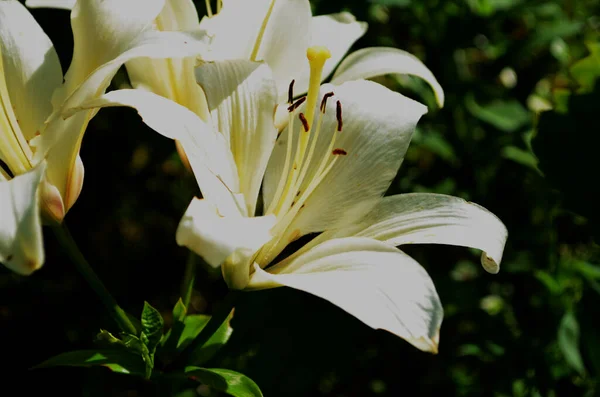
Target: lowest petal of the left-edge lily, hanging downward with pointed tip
<point>21,242</point>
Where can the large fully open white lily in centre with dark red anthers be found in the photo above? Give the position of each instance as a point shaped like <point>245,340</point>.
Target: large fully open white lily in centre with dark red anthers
<point>327,172</point>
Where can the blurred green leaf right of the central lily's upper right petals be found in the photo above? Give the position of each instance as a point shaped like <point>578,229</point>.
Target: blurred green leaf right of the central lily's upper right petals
<point>507,116</point>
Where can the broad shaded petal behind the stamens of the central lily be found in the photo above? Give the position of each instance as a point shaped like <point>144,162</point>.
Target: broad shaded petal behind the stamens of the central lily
<point>377,127</point>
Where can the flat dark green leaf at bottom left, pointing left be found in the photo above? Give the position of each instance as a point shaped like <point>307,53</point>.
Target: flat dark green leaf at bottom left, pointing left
<point>116,360</point>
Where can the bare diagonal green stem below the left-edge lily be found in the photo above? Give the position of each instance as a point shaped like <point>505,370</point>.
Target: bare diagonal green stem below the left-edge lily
<point>70,246</point>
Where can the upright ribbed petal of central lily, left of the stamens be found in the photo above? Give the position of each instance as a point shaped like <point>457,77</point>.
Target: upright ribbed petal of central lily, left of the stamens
<point>241,97</point>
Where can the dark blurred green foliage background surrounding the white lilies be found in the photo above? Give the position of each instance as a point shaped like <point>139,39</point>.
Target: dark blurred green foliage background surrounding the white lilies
<point>528,331</point>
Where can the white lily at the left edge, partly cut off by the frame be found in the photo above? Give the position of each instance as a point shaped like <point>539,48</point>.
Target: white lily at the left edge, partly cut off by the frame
<point>39,142</point>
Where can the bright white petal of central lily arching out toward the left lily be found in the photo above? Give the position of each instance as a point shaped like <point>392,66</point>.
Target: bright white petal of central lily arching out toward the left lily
<point>207,151</point>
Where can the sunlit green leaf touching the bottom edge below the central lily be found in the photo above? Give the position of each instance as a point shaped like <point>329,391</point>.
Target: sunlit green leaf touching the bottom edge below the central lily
<point>224,380</point>
